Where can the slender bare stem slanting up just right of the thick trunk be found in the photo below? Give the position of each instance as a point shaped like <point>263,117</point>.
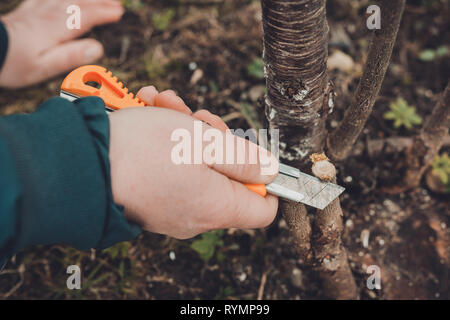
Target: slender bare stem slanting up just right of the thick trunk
<point>340,141</point>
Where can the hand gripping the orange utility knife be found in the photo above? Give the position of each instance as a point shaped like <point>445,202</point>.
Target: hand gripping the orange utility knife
<point>180,200</point>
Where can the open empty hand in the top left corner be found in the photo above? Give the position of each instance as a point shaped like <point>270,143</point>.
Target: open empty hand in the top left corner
<point>40,44</point>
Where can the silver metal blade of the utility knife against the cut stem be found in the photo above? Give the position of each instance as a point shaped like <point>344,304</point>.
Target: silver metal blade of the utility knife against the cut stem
<point>315,193</point>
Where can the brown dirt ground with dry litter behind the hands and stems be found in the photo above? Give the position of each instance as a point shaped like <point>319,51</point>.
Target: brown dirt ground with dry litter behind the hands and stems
<point>208,51</point>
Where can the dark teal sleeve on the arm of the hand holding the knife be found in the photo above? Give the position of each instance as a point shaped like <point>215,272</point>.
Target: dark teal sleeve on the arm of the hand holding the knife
<point>55,179</point>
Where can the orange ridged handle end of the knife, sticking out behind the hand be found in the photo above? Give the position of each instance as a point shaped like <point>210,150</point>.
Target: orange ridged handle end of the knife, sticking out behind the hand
<point>113,92</point>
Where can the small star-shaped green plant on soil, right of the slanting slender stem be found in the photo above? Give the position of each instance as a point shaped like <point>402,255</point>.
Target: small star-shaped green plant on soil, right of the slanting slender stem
<point>402,114</point>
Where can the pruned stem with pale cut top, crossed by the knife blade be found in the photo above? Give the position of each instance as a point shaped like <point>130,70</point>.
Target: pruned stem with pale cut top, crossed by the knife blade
<point>330,256</point>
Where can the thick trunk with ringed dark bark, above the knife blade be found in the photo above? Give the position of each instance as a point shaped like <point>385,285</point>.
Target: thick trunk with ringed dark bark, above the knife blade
<point>295,55</point>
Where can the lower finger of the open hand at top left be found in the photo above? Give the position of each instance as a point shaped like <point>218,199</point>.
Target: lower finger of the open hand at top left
<point>67,56</point>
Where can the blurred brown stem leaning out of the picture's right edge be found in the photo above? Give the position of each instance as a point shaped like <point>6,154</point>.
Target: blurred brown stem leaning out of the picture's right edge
<point>426,145</point>
